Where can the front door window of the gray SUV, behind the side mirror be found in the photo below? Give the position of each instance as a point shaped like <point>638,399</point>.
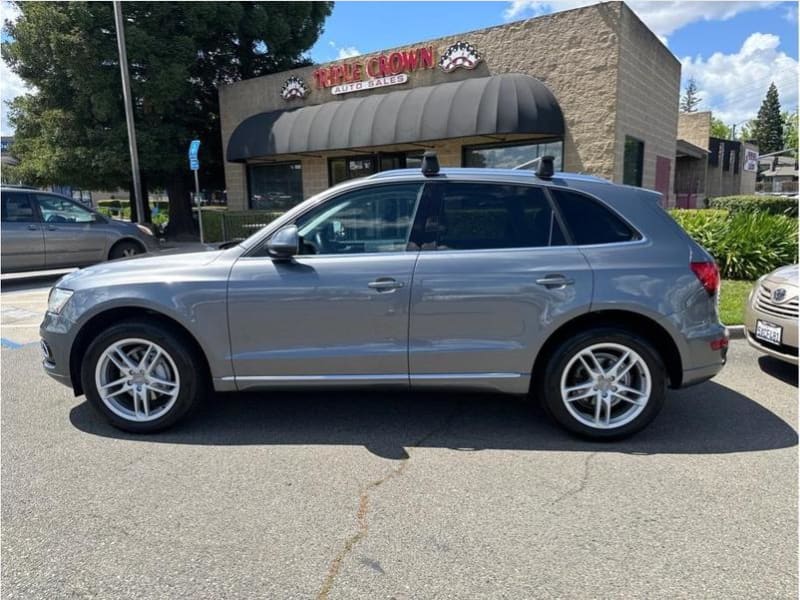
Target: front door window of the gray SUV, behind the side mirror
<point>377,219</point>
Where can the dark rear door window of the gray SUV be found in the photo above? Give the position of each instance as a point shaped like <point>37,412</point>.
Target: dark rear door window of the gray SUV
<point>478,216</point>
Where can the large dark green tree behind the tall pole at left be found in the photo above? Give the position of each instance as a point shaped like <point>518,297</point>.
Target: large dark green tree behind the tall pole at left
<point>71,129</point>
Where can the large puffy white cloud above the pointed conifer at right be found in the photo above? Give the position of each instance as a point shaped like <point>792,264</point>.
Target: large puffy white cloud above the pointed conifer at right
<point>734,85</point>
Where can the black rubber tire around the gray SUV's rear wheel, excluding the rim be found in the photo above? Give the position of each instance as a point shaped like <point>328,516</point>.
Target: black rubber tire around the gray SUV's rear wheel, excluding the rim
<point>550,386</point>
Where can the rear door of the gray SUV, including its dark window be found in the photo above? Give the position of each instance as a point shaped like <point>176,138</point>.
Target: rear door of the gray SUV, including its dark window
<point>494,276</point>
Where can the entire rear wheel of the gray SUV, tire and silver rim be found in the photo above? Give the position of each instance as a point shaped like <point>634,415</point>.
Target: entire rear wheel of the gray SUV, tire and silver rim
<point>631,401</point>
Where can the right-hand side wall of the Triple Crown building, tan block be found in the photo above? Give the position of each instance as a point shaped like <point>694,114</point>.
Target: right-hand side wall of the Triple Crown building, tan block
<point>647,99</point>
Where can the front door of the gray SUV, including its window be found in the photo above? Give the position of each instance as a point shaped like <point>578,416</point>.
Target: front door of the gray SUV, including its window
<point>336,313</point>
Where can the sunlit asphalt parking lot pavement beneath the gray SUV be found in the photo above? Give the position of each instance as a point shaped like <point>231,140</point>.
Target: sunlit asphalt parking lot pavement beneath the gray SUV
<point>358,495</point>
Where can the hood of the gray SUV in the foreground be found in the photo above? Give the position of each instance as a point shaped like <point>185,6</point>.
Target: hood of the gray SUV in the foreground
<point>158,268</point>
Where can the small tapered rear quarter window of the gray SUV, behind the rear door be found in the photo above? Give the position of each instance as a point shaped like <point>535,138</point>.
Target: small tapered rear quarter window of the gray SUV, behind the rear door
<point>589,221</point>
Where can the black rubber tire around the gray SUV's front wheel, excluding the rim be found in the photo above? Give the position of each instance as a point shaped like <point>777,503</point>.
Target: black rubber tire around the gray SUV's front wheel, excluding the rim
<point>180,352</point>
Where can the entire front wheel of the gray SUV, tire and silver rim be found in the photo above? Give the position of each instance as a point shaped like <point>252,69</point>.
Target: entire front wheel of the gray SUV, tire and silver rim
<point>169,363</point>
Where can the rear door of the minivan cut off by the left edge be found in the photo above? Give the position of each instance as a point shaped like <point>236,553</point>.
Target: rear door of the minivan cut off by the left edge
<point>23,238</point>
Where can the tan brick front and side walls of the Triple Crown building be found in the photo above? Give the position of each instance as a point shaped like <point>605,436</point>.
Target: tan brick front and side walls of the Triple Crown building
<point>576,53</point>
